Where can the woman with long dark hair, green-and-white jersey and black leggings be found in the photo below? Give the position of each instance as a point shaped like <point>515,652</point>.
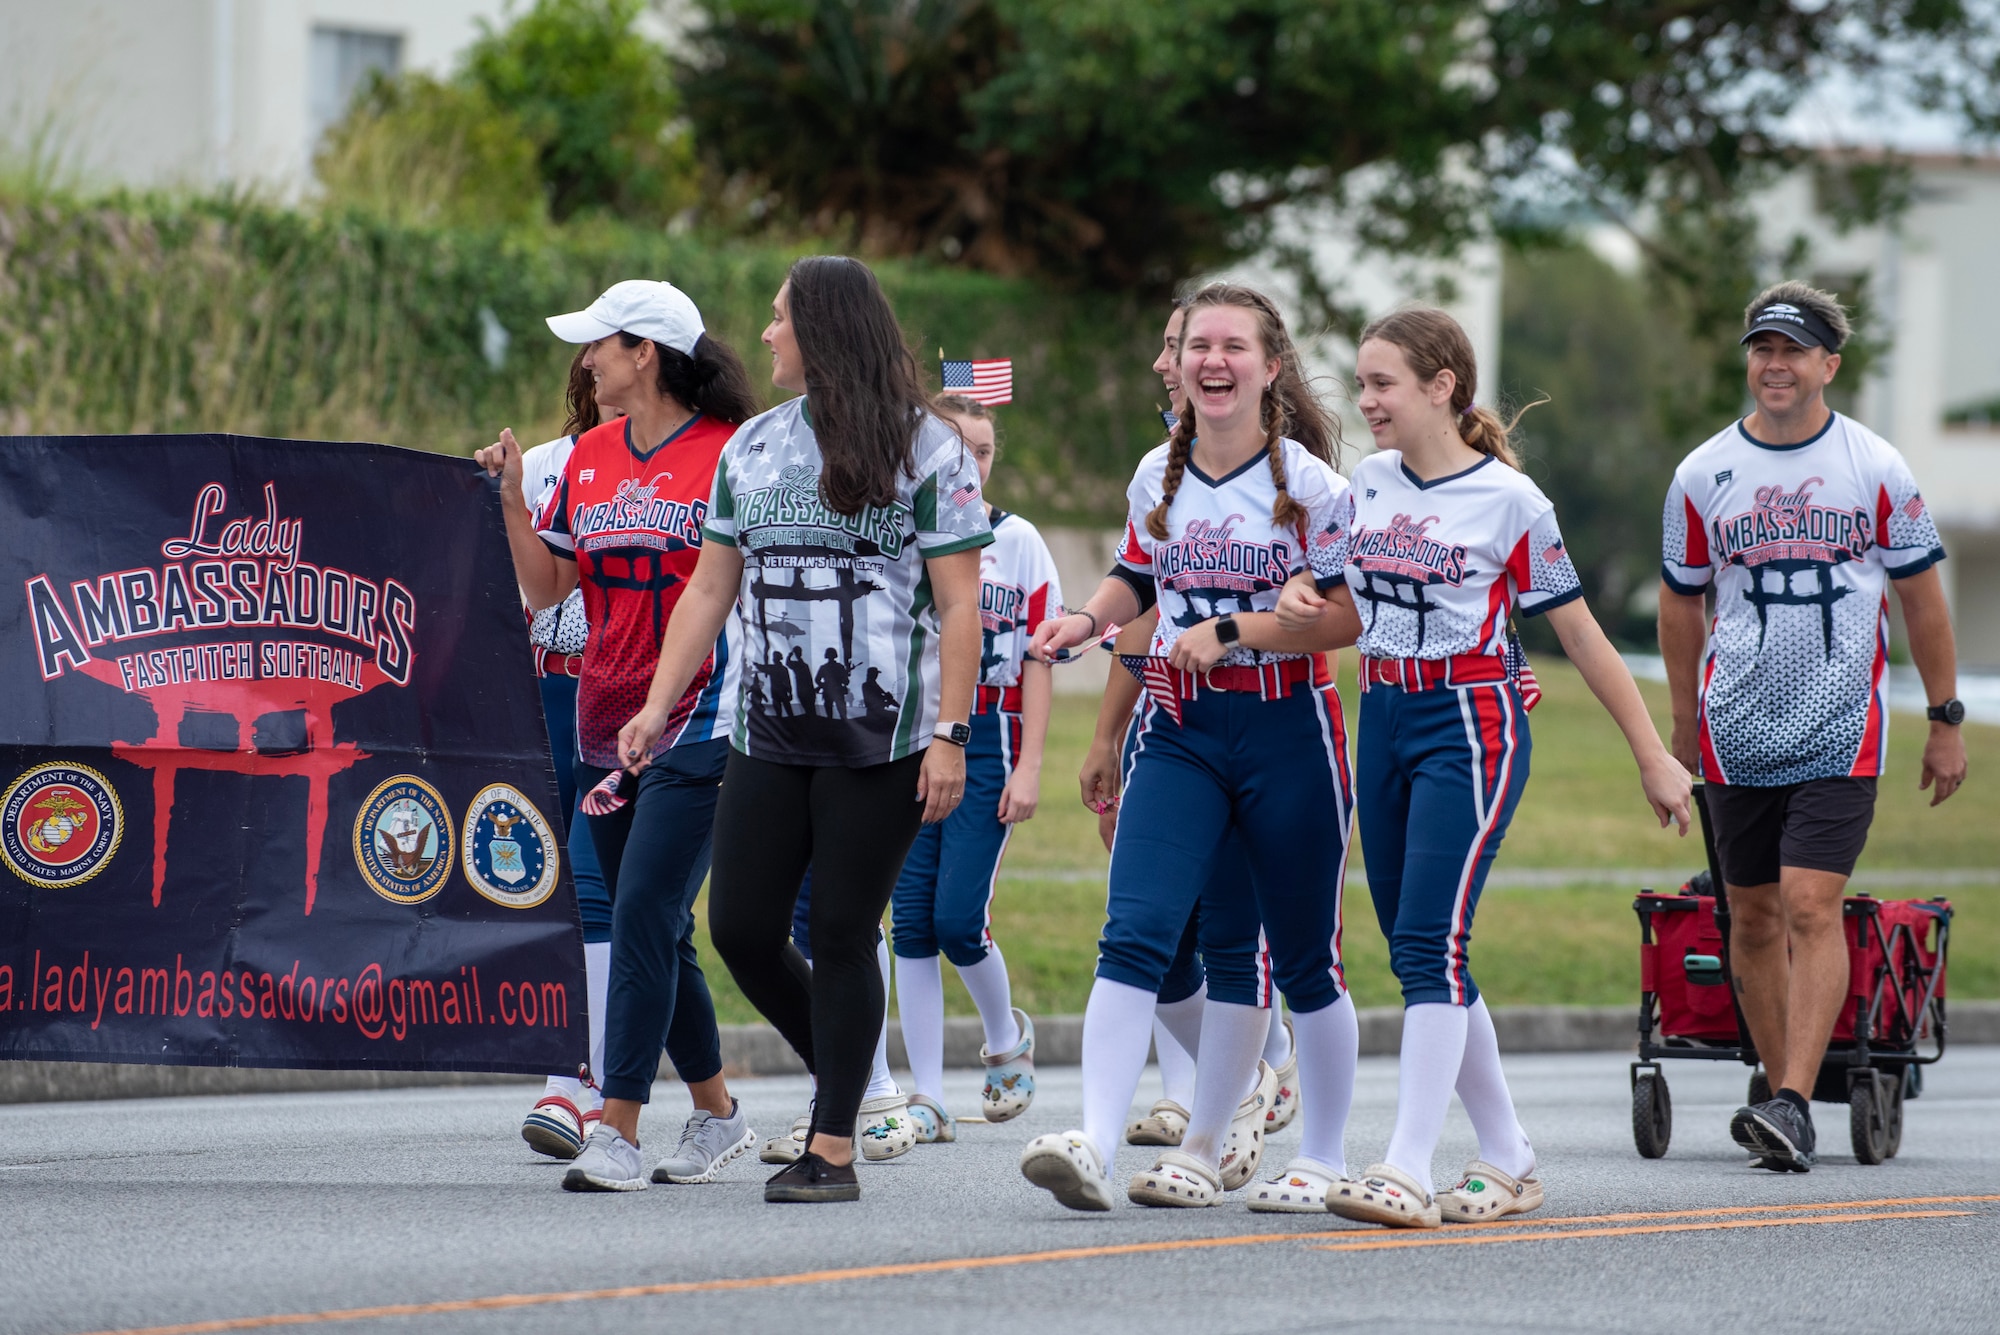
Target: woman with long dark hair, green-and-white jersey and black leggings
<point>843,521</point>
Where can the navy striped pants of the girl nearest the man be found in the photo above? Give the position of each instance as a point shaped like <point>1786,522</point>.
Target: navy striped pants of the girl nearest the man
<point>1441,774</point>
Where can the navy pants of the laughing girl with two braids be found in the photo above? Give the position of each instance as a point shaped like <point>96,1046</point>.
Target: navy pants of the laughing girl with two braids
<point>1277,772</point>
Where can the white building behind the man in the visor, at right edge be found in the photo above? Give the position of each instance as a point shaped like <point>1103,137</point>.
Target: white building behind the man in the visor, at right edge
<point>1935,281</point>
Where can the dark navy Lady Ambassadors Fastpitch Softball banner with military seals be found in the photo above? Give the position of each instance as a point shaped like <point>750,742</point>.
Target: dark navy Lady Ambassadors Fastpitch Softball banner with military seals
<point>275,784</point>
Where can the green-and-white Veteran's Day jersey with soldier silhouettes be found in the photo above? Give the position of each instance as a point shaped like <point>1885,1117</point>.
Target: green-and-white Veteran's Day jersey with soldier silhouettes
<point>841,633</point>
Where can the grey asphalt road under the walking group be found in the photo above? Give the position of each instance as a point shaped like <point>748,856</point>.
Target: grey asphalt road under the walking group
<point>239,1210</point>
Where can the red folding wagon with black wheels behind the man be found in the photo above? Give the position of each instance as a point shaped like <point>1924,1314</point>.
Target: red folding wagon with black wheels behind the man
<point>1889,1030</point>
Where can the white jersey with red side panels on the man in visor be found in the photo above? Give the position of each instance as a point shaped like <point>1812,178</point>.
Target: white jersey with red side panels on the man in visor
<point>1799,545</point>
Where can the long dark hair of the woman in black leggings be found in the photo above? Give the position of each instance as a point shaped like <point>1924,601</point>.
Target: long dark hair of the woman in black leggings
<point>861,381</point>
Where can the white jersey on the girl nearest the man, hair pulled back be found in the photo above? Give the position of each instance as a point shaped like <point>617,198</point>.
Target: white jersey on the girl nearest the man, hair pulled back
<point>1439,567</point>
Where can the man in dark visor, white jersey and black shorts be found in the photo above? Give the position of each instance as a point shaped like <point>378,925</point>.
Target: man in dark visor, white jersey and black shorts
<point>1797,519</point>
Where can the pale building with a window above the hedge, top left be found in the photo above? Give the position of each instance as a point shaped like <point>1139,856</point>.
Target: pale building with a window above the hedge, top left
<point>199,93</point>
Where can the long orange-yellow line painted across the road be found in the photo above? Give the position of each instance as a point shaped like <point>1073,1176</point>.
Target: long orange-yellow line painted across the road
<point>1337,1240</point>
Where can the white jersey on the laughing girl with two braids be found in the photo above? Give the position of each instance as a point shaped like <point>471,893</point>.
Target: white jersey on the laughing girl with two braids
<point>1223,555</point>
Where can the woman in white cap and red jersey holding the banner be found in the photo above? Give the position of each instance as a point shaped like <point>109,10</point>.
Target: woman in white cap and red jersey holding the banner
<point>627,525</point>
